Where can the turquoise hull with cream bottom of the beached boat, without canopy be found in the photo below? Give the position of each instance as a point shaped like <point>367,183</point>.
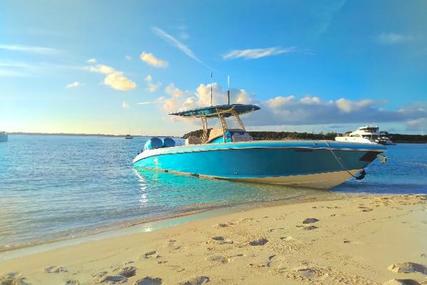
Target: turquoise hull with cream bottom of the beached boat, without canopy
<point>319,164</point>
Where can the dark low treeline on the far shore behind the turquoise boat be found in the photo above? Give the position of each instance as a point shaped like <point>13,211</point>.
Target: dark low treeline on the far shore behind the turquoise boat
<point>269,135</point>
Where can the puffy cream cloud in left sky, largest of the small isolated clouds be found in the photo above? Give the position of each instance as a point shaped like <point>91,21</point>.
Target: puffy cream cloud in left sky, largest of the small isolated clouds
<point>113,78</point>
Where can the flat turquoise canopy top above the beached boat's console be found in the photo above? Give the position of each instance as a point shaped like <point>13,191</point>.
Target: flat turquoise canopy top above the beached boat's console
<point>213,111</point>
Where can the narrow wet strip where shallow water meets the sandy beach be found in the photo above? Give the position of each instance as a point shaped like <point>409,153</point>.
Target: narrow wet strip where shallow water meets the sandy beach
<point>159,222</point>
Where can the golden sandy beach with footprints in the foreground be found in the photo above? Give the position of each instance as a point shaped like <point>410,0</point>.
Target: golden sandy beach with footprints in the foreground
<point>349,240</point>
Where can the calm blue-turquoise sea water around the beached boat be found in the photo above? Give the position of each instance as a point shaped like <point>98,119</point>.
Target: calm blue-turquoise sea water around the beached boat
<point>56,186</point>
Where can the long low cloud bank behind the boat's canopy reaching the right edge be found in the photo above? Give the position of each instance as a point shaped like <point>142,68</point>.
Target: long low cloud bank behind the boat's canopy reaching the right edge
<point>293,110</point>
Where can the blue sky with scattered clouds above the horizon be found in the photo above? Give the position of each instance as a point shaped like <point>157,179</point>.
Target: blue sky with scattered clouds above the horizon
<point>120,67</point>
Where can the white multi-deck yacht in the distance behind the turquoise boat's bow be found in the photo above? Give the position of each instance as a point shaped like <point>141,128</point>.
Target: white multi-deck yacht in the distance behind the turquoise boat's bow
<point>366,134</point>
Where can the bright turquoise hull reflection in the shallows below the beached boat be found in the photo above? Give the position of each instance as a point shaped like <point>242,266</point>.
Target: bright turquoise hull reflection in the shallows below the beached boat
<point>187,193</point>
